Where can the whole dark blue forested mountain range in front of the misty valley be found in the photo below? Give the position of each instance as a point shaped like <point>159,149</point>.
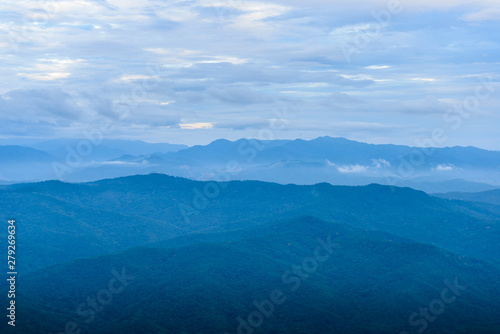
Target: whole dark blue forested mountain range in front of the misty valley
<point>162,254</point>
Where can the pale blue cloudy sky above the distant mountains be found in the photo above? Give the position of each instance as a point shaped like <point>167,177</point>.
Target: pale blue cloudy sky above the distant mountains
<point>418,73</point>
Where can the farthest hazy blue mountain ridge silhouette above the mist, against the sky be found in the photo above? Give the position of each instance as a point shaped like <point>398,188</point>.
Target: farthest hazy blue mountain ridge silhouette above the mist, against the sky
<point>338,151</point>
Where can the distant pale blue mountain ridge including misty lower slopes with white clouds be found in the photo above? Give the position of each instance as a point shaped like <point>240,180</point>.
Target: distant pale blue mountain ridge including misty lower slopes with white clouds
<point>335,160</point>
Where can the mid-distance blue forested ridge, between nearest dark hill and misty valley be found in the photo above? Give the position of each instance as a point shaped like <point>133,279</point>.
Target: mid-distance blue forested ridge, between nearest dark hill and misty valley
<point>96,218</point>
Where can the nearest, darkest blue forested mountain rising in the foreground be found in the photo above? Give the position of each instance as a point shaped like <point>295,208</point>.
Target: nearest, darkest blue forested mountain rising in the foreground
<point>301,275</point>
